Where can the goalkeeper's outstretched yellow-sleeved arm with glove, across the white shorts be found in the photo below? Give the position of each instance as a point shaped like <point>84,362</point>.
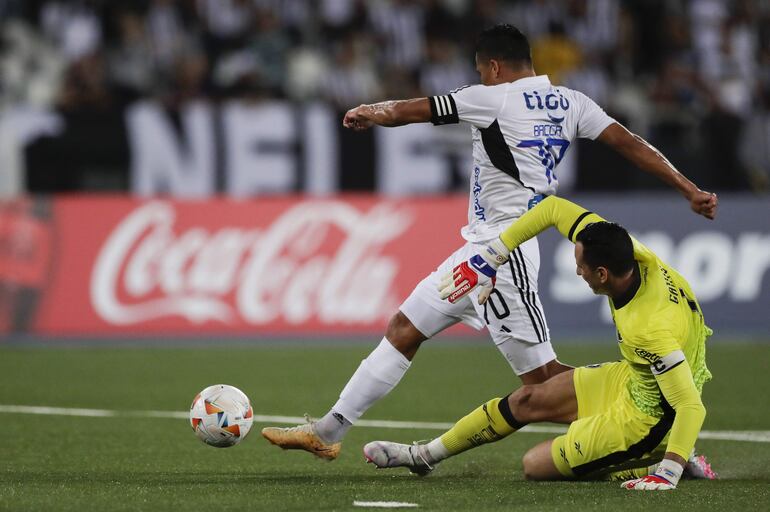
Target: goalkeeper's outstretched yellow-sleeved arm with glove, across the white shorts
<point>481,269</point>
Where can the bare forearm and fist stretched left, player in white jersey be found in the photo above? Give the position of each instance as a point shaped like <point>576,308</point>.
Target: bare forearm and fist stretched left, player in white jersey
<point>388,113</point>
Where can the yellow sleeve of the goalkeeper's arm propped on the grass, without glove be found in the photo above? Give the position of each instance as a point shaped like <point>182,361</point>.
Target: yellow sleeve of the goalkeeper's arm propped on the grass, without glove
<point>680,392</point>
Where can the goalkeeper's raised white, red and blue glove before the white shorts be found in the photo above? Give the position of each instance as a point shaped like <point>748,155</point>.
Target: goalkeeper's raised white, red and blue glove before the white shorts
<point>479,270</point>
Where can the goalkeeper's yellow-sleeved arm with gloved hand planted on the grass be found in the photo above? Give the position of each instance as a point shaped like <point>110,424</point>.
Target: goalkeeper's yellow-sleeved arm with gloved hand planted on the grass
<point>674,378</point>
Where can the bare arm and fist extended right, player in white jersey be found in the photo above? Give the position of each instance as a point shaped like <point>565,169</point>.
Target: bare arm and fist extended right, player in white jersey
<point>645,156</point>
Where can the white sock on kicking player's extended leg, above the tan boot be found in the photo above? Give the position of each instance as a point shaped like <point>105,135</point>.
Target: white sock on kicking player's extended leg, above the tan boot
<point>380,372</point>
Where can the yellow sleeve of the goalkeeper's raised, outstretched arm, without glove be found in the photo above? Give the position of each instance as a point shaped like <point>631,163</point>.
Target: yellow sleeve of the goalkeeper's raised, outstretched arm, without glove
<point>564,215</point>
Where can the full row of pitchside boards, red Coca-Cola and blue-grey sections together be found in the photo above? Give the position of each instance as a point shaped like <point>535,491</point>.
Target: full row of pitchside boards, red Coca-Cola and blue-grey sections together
<point>80,266</point>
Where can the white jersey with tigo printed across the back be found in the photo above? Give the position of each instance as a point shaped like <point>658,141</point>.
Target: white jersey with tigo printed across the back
<point>521,131</point>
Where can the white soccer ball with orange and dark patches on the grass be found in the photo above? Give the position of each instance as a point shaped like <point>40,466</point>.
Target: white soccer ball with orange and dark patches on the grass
<point>221,415</point>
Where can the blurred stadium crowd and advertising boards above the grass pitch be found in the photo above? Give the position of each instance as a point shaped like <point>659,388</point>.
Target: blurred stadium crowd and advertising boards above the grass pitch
<point>234,104</point>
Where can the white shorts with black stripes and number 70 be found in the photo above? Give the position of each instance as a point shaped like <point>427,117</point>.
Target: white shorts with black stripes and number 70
<point>513,314</point>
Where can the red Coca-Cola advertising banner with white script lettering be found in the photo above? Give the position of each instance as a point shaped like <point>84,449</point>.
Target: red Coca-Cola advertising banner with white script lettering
<point>114,265</point>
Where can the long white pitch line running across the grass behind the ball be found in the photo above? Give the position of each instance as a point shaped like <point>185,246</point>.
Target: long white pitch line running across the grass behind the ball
<point>754,436</point>
